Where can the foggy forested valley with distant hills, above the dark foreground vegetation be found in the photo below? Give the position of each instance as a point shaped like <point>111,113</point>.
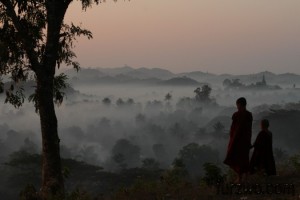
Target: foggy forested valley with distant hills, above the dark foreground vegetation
<point>117,117</point>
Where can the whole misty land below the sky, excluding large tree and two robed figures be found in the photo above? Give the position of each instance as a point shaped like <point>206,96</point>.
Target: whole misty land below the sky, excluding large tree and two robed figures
<point>123,128</point>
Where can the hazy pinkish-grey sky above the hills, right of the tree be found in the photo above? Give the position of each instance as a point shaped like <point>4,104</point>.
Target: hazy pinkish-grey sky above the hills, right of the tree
<point>219,36</point>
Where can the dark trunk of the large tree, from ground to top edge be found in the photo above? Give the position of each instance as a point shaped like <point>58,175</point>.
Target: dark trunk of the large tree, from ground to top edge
<point>52,179</point>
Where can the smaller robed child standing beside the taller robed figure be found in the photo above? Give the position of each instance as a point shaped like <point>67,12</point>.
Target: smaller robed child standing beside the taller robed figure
<point>262,157</point>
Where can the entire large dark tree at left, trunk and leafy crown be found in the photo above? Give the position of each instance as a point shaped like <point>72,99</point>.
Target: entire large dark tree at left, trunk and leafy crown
<point>34,41</point>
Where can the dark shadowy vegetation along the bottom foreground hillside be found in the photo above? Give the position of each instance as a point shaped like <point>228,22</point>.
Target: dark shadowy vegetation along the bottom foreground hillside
<point>21,177</point>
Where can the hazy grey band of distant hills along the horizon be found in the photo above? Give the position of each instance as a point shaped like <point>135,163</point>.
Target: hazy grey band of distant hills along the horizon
<point>128,74</point>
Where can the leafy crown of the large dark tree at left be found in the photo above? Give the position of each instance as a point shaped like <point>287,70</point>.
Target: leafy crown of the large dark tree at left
<point>34,40</point>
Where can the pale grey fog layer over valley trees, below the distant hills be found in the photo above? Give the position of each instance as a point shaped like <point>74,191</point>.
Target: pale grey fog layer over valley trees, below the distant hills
<point>89,129</point>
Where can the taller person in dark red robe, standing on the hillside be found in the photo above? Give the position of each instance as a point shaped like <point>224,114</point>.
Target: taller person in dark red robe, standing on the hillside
<point>240,140</point>
